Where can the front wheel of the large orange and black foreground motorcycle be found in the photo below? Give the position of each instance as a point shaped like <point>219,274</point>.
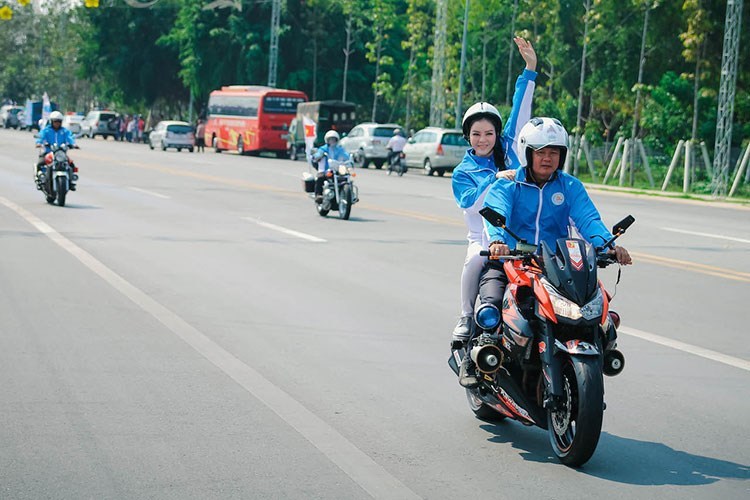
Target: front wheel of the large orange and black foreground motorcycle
<point>575,427</point>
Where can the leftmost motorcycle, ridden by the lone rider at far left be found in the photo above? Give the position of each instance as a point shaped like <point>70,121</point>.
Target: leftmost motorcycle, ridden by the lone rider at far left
<point>57,174</point>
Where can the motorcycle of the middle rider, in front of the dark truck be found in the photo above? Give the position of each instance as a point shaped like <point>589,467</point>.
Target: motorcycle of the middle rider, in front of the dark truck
<point>339,190</point>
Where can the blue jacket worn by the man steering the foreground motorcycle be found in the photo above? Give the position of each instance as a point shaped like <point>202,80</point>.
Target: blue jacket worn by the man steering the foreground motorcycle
<point>544,214</point>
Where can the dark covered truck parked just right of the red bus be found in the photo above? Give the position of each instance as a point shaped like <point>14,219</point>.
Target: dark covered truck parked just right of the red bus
<point>336,115</point>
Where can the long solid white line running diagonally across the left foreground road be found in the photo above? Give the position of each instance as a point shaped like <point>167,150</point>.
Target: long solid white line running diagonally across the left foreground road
<point>356,464</point>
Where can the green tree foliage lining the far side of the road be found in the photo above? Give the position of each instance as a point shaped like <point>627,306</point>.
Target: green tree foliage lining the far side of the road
<point>143,57</point>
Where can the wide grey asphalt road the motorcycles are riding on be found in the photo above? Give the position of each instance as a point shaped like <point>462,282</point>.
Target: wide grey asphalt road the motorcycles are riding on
<point>189,327</point>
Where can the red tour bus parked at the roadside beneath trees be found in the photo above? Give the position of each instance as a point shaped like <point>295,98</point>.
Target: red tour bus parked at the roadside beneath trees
<point>250,118</point>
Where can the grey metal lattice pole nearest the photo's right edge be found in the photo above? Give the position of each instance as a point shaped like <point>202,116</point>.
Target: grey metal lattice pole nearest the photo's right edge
<point>727,86</point>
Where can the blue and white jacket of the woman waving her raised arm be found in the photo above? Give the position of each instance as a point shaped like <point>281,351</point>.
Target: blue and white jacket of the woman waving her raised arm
<point>475,174</point>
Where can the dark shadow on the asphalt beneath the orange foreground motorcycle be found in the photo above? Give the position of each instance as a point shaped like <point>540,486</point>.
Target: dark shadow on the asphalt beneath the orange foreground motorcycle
<point>625,460</point>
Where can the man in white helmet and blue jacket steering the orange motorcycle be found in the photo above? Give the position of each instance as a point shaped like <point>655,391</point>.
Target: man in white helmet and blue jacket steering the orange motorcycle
<point>538,205</point>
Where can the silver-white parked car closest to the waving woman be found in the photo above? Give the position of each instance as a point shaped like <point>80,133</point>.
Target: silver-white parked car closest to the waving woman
<point>435,150</point>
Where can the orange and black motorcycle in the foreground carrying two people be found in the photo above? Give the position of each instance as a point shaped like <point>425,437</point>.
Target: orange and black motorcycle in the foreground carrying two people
<point>543,364</point>
